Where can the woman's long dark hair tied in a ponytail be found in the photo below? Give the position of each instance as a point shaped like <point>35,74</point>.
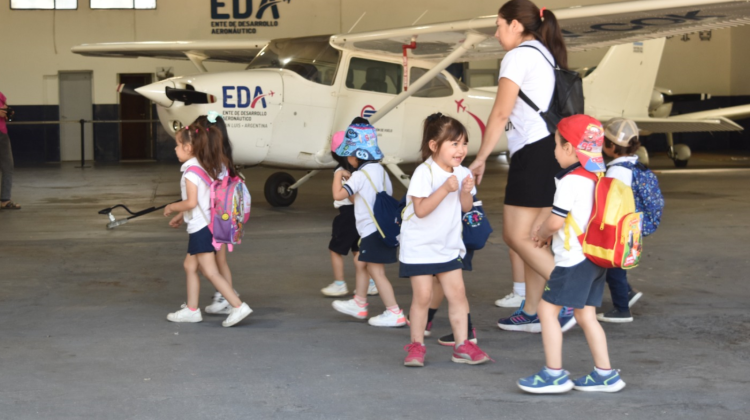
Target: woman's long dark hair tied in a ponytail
<point>546,30</point>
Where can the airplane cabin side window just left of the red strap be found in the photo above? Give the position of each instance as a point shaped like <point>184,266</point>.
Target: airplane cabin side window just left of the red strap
<point>374,76</point>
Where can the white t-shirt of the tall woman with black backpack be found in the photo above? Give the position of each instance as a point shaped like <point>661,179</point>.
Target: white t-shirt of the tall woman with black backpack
<point>528,69</point>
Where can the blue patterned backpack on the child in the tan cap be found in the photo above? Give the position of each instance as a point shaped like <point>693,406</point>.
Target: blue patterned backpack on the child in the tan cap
<point>647,194</point>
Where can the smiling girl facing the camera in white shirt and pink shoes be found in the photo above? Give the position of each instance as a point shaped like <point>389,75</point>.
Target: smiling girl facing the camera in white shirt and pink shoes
<point>431,241</point>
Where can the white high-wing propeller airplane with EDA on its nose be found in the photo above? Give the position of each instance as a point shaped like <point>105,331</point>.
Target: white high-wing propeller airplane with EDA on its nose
<point>283,109</point>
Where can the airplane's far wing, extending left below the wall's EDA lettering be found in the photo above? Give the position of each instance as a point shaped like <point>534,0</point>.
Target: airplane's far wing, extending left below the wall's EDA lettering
<point>232,51</point>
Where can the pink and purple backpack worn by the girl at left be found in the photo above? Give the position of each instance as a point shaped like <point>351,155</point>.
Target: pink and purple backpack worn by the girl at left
<point>230,208</point>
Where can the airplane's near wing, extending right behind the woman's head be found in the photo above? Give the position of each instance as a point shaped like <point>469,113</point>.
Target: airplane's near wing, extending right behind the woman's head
<point>584,28</point>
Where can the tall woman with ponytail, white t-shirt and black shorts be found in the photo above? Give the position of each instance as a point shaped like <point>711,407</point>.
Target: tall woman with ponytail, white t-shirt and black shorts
<point>533,40</point>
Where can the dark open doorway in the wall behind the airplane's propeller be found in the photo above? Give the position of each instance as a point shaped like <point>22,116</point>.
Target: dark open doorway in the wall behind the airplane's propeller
<point>136,138</point>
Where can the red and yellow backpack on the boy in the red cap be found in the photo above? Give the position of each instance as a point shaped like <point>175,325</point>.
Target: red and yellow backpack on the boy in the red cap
<point>613,237</point>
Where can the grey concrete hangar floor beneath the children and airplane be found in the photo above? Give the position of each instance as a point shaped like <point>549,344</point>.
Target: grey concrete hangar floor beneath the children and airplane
<point>84,334</point>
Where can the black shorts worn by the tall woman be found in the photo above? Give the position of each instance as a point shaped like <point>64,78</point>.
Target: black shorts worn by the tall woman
<point>531,178</point>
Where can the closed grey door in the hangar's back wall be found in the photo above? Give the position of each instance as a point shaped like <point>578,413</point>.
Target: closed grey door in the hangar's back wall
<point>76,103</point>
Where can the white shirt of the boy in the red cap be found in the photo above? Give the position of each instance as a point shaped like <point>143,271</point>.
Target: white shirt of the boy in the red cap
<point>575,195</point>
